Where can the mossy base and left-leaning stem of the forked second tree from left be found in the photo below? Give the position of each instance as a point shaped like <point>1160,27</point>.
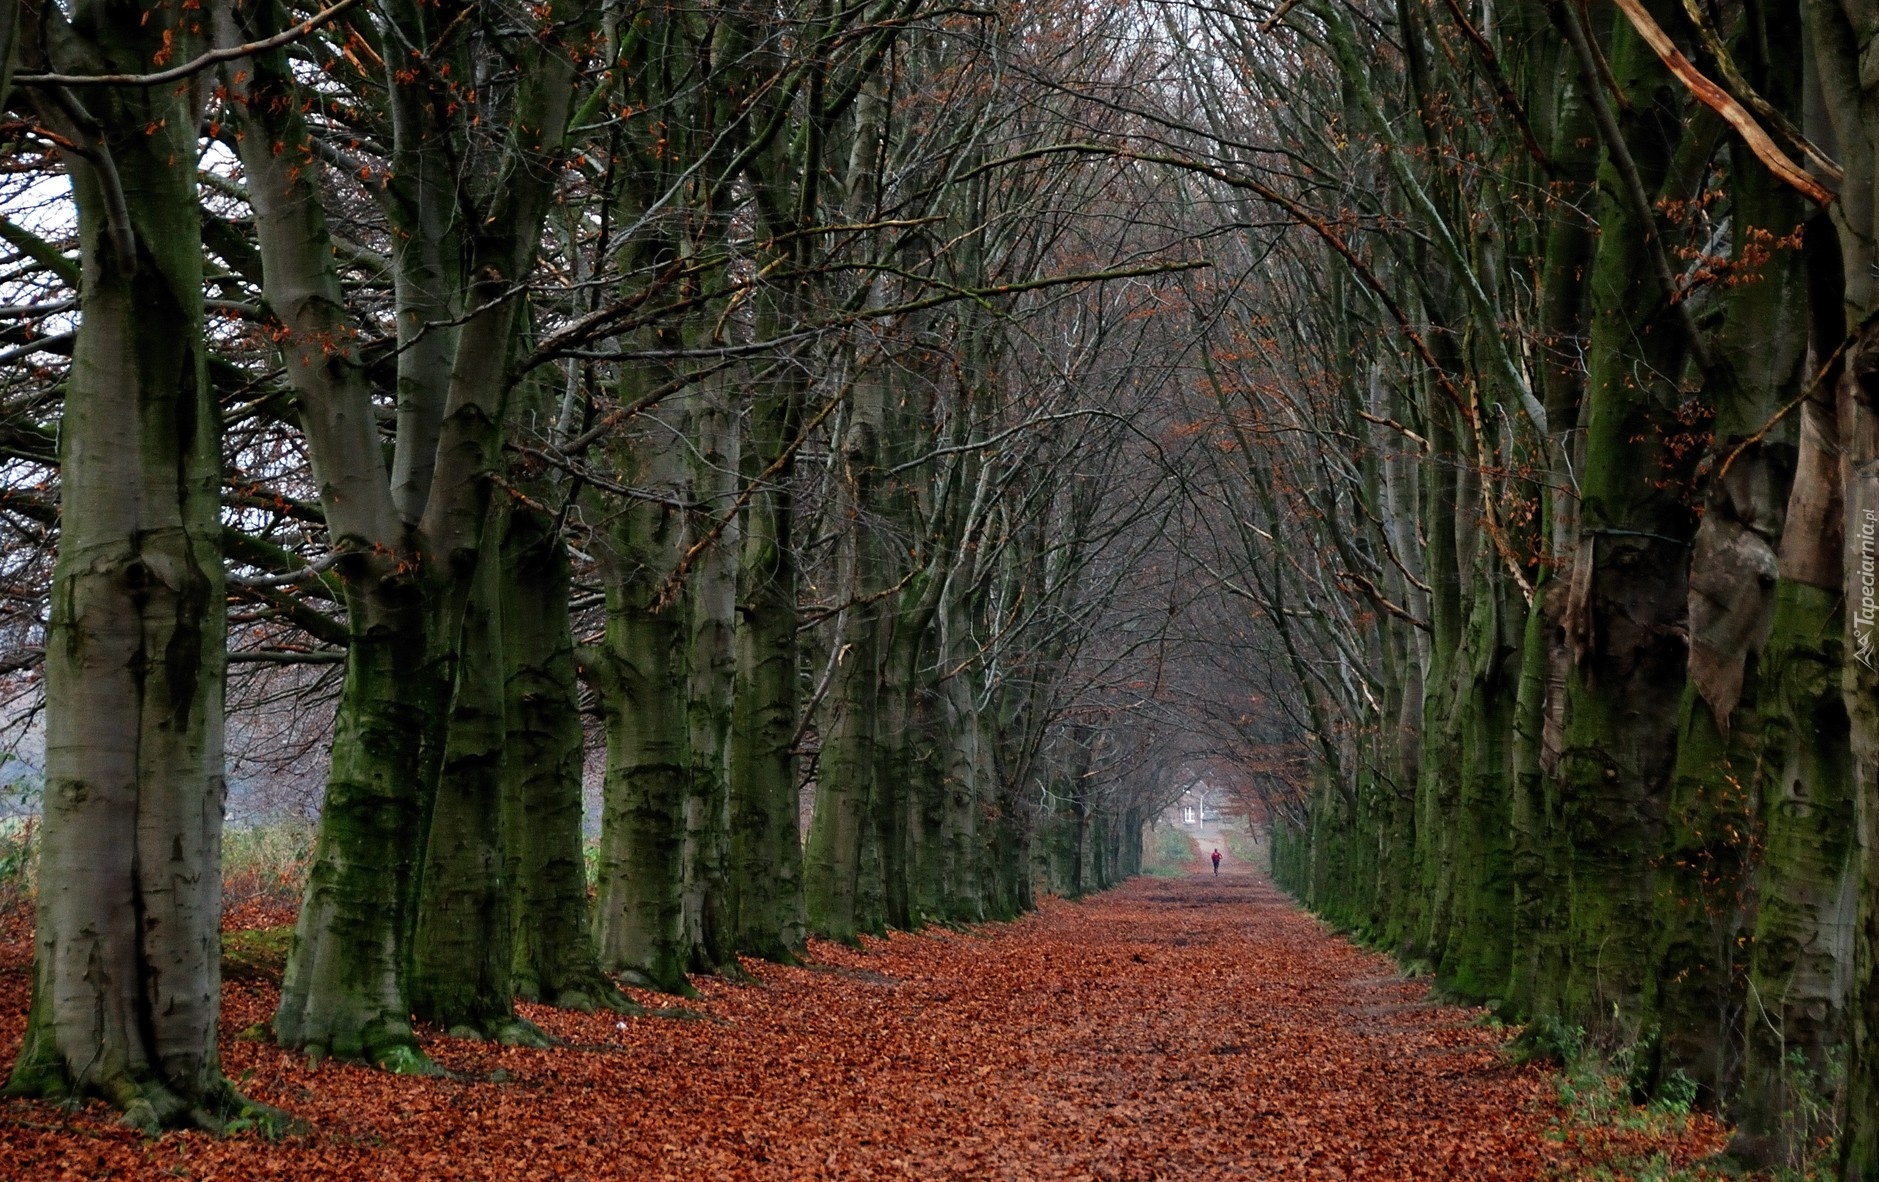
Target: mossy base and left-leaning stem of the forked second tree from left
<point>345,997</point>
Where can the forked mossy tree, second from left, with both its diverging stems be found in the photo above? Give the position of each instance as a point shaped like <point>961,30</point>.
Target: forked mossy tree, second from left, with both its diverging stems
<point>411,538</point>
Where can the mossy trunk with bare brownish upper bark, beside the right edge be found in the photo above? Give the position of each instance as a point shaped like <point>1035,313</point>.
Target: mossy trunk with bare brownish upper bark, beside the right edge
<point>1801,971</point>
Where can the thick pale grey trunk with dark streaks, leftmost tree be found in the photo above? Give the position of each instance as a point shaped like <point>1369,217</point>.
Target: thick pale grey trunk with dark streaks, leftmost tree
<point>127,972</point>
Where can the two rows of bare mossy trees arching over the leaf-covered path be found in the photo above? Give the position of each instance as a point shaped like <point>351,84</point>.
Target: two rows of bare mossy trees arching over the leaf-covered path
<point>886,452</point>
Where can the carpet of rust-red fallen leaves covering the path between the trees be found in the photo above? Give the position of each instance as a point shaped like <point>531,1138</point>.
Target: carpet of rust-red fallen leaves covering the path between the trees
<point>1185,1027</point>
